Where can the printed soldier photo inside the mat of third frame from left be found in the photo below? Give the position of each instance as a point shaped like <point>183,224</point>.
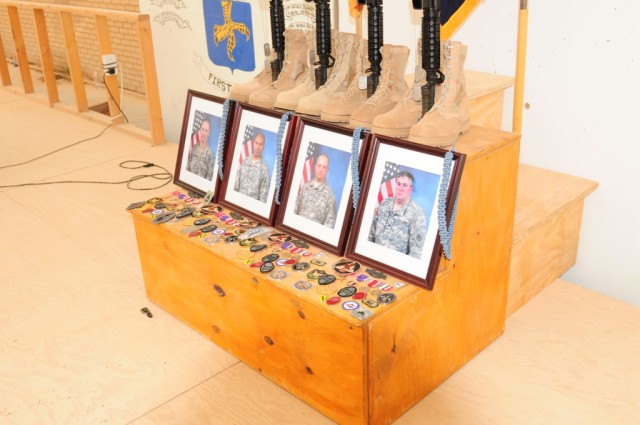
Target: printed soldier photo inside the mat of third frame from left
<point>322,183</point>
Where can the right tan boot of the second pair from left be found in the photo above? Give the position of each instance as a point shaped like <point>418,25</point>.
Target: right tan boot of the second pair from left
<point>344,71</point>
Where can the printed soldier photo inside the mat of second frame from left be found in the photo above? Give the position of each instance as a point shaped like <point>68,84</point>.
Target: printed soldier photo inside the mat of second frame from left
<point>255,163</point>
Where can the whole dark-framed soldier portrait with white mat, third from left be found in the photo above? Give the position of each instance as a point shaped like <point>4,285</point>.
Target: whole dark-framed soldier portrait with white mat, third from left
<point>317,203</point>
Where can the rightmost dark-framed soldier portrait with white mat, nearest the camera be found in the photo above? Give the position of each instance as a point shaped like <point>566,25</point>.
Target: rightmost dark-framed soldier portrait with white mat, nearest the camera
<point>396,223</point>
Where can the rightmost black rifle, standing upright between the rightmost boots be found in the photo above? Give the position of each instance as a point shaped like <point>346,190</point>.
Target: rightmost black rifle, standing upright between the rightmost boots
<point>430,50</point>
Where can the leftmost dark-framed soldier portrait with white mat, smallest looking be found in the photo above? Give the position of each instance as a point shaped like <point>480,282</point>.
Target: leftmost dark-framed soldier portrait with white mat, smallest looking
<point>197,165</point>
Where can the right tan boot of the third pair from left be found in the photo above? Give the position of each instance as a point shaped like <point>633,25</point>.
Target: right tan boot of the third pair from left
<point>391,88</point>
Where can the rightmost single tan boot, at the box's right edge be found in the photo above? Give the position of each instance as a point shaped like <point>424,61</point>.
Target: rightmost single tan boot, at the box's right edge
<point>450,116</point>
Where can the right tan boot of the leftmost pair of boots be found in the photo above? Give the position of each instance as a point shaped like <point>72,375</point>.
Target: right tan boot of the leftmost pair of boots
<point>293,71</point>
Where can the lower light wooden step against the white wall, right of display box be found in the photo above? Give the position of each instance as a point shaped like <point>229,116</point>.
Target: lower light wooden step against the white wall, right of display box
<point>546,230</point>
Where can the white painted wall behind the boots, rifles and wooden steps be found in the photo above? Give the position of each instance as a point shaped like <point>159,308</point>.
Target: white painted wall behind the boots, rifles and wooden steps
<point>581,84</point>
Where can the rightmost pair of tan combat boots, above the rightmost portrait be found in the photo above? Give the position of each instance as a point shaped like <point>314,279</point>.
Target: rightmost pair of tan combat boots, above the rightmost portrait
<point>450,115</point>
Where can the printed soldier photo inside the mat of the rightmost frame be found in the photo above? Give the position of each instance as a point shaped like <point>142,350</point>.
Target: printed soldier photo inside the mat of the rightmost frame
<point>405,203</point>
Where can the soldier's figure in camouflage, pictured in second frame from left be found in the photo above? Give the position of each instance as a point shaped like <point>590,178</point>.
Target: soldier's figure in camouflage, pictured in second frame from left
<point>252,178</point>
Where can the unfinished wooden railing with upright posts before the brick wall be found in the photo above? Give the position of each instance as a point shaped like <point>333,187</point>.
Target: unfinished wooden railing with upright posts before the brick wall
<point>100,16</point>
